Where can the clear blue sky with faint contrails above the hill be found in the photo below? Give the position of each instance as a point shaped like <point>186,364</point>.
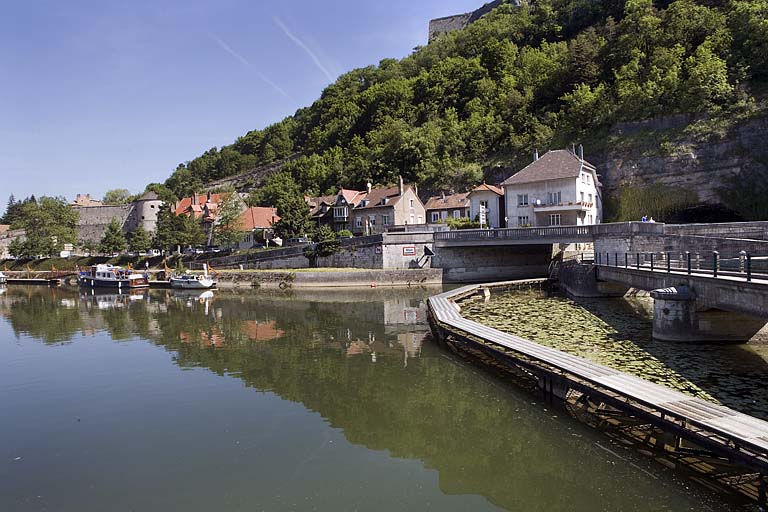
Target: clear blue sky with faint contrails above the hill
<point>97,95</point>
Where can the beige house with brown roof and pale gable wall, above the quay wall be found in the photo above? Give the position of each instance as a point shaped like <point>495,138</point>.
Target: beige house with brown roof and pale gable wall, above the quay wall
<point>384,208</point>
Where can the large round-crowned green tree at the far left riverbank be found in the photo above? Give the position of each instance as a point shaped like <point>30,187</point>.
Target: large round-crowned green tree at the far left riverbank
<point>49,223</point>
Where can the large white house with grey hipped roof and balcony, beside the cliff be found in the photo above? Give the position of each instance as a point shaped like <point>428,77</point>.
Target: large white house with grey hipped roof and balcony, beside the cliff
<point>560,188</point>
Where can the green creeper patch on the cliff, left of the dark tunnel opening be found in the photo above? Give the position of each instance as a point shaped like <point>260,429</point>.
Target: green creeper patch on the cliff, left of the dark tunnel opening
<point>657,201</point>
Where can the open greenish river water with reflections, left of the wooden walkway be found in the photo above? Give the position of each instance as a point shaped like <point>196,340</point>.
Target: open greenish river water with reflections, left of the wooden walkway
<point>333,400</point>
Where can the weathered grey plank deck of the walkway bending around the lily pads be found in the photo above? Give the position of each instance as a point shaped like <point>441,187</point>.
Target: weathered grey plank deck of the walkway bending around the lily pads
<point>729,434</point>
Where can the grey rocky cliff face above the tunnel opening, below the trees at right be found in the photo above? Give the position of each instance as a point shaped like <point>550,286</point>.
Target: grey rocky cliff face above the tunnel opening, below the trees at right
<point>666,155</point>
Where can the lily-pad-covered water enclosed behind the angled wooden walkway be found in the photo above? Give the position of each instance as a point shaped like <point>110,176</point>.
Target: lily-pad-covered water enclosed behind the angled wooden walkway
<point>617,333</point>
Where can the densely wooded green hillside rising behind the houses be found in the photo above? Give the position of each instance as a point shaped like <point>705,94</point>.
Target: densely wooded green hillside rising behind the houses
<point>539,76</point>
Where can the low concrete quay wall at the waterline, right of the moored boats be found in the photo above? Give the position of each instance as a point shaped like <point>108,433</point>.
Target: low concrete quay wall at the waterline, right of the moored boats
<point>330,278</point>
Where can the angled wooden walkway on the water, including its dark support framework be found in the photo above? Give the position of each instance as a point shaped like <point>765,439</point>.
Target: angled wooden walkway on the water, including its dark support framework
<point>715,431</point>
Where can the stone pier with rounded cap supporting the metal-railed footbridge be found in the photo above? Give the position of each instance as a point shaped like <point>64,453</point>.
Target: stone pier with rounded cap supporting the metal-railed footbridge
<point>677,317</point>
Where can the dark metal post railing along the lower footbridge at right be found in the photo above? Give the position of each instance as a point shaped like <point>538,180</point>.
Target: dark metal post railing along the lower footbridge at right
<point>742,264</point>
